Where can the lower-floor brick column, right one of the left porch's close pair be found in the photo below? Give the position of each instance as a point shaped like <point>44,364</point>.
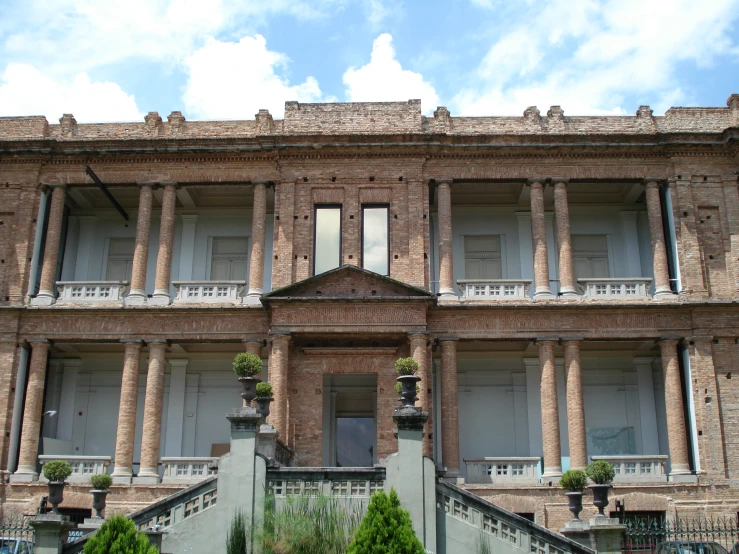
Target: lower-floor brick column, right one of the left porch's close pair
<point>152,430</point>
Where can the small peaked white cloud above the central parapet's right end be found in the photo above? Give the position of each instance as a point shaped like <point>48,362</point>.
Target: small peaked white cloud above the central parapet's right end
<point>383,79</point>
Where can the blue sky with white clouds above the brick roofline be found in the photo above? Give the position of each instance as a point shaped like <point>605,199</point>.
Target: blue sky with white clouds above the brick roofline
<point>104,60</point>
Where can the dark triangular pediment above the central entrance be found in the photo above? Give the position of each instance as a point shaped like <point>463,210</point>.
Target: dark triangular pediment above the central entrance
<point>349,282</point>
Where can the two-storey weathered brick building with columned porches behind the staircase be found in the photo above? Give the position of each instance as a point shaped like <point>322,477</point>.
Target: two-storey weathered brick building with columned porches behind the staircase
<point>568,286</point>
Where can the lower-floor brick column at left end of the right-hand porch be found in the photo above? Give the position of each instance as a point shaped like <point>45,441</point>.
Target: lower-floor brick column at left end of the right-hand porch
<point>449,411</point>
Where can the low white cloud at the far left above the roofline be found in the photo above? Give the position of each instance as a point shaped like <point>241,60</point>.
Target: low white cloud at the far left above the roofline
<point>24,90</point>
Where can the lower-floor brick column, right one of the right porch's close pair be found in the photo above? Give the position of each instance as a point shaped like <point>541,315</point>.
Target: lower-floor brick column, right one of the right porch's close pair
<point>575,406</point>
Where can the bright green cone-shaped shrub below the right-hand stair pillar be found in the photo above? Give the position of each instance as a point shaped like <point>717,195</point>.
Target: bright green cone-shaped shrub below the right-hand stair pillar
<point>386,524</point>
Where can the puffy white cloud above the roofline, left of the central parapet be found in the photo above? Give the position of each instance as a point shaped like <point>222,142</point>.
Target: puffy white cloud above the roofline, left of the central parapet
<point>233,80</point>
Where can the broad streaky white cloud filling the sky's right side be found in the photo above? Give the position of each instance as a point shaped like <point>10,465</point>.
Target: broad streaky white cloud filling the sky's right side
<point>596,56</point>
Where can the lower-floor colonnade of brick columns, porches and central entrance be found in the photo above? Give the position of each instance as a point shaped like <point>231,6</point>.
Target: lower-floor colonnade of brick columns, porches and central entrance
<point>500,409</point>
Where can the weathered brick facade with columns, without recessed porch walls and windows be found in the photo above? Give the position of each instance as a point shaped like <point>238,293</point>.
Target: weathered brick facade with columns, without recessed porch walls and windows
<point>679,172</point>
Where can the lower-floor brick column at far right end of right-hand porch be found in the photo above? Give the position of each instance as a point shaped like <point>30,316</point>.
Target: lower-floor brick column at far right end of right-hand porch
<point>676,429</point>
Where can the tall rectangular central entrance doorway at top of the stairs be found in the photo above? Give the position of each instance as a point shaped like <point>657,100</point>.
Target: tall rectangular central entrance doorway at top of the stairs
<point>350,420</point>
